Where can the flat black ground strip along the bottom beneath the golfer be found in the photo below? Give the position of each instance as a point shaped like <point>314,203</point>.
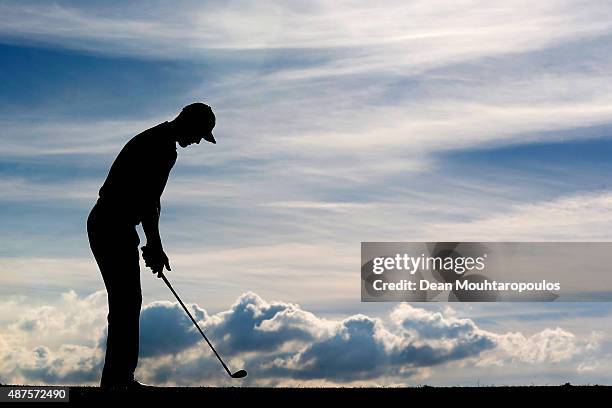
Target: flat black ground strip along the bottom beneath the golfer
<point>383,397</point>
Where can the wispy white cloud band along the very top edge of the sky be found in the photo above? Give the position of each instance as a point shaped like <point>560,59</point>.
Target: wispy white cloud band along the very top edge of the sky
<point>421,31</point>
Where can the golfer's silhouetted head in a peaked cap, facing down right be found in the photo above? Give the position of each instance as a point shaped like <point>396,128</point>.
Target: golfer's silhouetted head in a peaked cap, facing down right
<point>194,123</point>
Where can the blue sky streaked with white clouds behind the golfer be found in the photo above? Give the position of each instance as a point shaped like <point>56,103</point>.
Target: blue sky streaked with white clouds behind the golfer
<point>337,123</point>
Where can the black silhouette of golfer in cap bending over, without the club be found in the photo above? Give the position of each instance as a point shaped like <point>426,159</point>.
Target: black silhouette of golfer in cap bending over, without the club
<point>131,195</point>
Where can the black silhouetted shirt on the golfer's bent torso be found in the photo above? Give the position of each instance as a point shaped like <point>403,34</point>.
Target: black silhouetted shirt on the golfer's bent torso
<point>137,178</point>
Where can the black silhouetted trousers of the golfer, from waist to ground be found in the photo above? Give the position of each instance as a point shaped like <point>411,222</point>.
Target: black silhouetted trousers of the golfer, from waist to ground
<point>114,243</point>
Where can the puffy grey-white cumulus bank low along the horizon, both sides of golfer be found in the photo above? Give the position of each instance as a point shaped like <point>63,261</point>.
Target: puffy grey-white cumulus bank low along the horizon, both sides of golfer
<point>278,342</point>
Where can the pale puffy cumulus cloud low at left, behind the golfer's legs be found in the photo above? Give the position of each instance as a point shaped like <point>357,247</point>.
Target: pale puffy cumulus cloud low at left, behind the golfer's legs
<point>54,344</point>
